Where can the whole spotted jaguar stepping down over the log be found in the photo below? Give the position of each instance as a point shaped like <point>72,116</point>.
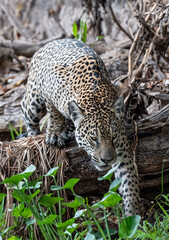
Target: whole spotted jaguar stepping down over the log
<point>69,81</point>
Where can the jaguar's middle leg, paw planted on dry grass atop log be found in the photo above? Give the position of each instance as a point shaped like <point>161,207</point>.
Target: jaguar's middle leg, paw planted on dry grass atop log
<point>56,133</point>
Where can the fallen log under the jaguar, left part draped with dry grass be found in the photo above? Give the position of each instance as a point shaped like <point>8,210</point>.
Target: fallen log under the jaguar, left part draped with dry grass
<point>149,143</point>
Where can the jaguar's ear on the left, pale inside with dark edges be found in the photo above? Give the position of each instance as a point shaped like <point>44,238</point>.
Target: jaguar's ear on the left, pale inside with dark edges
<point>75,113</point>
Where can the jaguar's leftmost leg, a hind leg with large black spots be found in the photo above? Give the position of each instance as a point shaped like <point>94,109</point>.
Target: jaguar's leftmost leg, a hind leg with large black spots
<point>32,110</point>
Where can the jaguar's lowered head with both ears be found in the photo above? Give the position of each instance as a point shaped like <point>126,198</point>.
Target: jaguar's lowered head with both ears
<point>97,135</point>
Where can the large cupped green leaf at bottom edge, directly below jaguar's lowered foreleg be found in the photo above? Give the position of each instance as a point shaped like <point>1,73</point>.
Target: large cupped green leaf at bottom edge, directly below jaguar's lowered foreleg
<point>128,226</point>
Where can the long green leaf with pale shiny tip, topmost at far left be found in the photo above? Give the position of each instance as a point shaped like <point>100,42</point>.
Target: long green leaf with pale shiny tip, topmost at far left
<point>15,179</point>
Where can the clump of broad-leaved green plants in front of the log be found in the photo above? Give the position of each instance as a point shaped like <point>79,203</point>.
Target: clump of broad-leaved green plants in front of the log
<point>47,210</point>
